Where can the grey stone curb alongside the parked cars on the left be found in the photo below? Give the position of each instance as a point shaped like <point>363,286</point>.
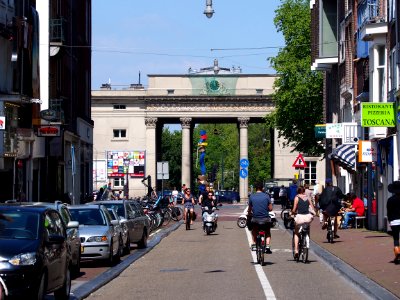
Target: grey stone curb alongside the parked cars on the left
<point>89,287</point>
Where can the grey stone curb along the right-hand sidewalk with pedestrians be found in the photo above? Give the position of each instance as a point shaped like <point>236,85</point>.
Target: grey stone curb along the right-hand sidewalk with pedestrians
<point>366,285</point>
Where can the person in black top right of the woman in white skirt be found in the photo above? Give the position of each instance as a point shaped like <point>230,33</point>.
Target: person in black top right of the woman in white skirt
<point>330,203</point>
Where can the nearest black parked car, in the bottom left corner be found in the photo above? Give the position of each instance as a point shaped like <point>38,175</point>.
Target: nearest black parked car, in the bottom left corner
<point>34,255</point>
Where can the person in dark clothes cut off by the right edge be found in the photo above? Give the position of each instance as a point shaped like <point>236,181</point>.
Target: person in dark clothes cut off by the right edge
<point>393,215</point>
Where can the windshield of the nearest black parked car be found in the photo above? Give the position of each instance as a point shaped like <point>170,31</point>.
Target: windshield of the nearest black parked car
<point>19,224</point>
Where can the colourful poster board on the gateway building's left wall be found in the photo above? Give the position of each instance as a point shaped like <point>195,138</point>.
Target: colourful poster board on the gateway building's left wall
<point>120,163</point>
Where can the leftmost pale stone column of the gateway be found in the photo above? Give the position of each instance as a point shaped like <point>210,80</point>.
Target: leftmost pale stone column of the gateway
<point>151,162</point>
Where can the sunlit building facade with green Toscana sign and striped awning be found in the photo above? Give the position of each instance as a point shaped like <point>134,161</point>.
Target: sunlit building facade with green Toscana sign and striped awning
<point>355,43</point>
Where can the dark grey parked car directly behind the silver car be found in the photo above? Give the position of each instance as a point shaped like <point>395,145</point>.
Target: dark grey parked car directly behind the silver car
<point>133,216</point>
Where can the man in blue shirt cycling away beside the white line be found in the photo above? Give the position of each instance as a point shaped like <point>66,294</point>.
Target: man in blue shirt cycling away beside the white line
<point>259,207</point>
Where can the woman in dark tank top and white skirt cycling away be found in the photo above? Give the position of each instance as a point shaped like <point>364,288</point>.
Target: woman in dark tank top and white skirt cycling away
<point>301,208</point>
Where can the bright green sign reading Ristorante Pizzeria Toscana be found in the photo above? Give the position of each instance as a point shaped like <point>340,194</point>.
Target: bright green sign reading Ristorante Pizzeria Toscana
<point>377,114</point>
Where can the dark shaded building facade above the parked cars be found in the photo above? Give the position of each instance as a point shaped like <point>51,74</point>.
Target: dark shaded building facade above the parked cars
<point>45,122</point>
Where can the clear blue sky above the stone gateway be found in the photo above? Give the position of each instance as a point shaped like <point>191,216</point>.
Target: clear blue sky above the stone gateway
<point>170,36</point>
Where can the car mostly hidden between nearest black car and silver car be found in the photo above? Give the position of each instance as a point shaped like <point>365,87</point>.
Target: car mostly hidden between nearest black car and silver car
<point>73,238</point>
